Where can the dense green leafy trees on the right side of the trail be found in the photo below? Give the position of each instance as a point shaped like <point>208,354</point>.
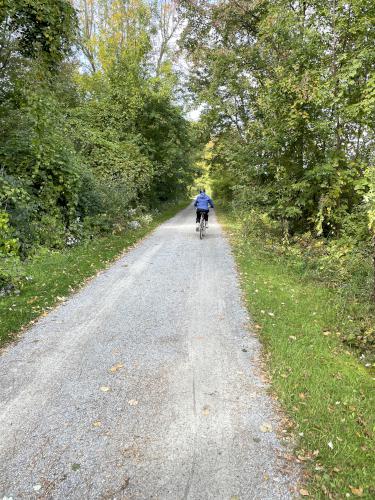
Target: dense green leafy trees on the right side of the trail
<point>288,90</point>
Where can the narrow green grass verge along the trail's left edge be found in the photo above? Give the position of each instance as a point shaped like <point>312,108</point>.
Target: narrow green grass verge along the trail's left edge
<point>54,275</point>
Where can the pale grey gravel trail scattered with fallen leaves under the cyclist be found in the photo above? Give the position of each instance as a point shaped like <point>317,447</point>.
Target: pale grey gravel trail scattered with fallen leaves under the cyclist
<point>144,385</point>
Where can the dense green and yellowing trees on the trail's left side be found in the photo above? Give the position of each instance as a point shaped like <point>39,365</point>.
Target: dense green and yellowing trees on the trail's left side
<point>90,126</point>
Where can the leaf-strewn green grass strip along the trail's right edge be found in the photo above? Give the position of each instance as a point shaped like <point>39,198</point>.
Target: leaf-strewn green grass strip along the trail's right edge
<point>327,395</point>
